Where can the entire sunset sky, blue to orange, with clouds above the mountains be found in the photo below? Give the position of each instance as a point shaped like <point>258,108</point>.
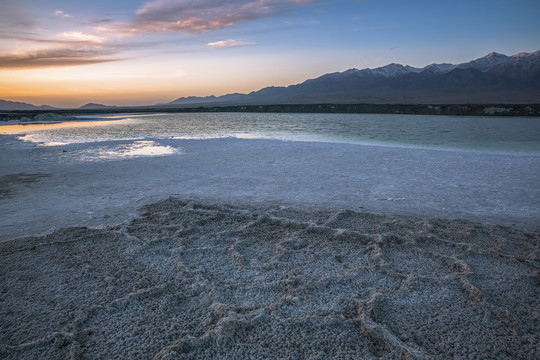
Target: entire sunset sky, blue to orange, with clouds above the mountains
<point>67,53</point>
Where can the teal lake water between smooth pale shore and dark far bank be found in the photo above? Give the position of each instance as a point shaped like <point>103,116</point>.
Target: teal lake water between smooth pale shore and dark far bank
<point>506,134</point>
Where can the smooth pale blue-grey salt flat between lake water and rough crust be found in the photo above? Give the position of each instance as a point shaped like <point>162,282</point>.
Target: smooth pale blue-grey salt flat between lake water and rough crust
<point>488,188</point>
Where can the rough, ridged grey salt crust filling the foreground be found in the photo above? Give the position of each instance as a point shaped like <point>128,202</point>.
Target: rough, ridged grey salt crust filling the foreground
<point>193,280</point>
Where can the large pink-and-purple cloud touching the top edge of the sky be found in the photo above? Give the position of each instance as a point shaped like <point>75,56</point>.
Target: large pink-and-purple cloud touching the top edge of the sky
<point>196,16</point>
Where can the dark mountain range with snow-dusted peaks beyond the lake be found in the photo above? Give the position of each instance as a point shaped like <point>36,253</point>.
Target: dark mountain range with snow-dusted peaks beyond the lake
<point>492,79</point>
